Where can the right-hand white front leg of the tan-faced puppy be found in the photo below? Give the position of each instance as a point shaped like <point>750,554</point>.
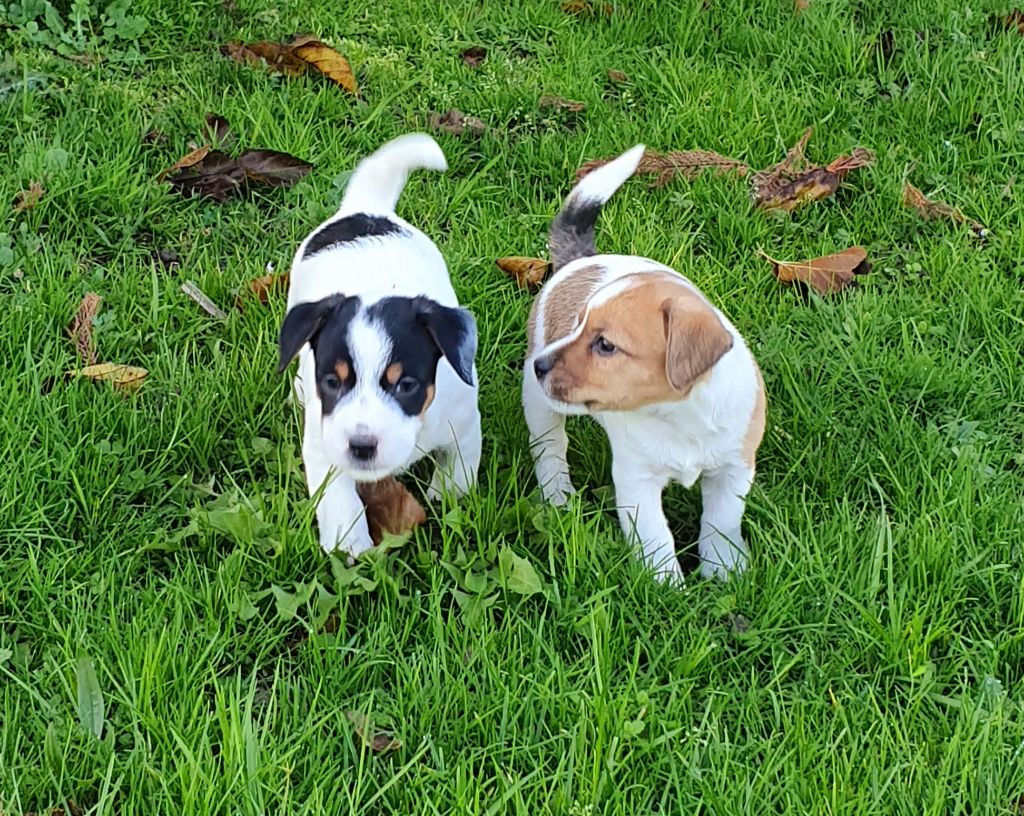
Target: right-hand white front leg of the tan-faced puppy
<point>721,545</point>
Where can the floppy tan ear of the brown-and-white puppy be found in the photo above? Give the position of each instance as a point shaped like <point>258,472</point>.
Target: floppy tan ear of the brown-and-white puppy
<point>696,339</point>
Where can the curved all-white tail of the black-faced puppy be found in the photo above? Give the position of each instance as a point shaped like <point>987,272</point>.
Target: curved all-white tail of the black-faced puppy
<point>380,179</point>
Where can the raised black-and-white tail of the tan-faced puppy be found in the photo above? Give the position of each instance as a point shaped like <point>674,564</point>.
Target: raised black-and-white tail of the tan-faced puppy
<point>572,234</point>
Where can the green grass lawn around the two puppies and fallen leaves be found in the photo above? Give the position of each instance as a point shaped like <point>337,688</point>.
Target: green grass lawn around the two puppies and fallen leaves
<point>871,662</point>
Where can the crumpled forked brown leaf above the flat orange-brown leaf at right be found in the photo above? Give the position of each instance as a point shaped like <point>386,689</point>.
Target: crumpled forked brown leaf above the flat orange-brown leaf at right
<point>788,186</point>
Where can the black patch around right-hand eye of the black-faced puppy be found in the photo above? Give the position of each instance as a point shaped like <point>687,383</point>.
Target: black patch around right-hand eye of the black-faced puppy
<point>412,348</point>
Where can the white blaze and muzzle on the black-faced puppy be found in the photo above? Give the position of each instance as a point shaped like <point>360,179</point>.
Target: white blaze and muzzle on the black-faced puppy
<point>367,414</point>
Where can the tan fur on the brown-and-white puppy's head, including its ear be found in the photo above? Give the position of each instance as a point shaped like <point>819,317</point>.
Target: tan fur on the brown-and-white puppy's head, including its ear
<point>664,333</point>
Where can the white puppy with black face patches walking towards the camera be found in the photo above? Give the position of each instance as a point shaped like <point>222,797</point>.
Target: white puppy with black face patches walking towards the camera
<point>387,372</point>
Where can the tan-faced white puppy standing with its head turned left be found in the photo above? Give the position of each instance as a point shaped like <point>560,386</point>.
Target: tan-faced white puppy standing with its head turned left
<point>637,347</point>
